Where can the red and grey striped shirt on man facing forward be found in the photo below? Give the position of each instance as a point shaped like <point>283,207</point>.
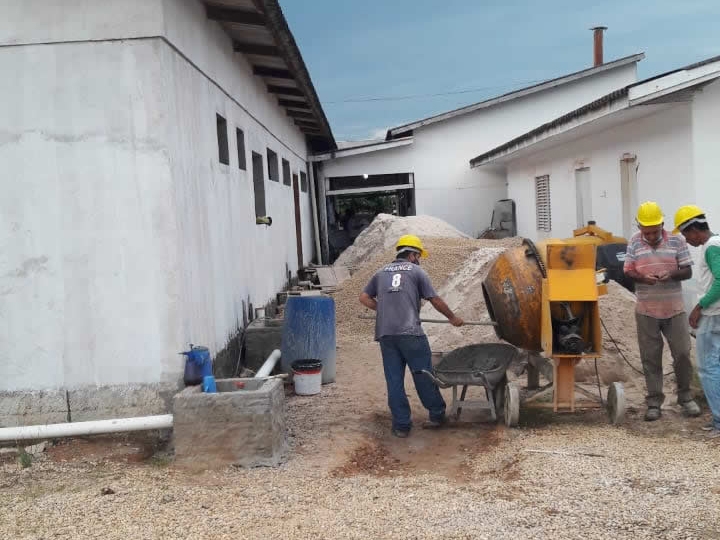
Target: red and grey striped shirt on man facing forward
<point>664,299</point>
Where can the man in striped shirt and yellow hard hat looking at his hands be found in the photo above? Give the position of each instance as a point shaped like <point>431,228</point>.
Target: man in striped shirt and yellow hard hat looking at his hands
<point>658,261</point>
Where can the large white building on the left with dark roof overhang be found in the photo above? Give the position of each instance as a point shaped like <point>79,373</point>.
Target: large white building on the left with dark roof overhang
<point>139,141</point>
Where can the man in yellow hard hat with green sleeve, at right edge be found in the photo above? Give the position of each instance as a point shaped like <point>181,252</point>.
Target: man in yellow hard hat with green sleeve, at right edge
<point>690,220</point>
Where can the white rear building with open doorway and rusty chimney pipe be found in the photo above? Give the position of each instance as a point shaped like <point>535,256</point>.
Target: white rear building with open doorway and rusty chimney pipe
<point>425,162</point>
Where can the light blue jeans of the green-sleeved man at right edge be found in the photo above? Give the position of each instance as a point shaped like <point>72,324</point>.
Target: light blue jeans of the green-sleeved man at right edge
<point>707,344</point>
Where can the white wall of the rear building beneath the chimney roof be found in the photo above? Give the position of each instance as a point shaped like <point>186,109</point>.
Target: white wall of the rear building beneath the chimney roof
<point>445,185</point>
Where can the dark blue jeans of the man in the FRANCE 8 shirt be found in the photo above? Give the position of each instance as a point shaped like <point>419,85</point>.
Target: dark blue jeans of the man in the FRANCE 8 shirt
<point>413,351</point>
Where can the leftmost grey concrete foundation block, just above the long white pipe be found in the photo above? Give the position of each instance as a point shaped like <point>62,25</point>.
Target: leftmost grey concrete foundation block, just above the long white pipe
<point>27,408</point>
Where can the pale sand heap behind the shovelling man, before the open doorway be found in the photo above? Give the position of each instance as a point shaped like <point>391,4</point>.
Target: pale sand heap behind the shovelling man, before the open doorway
<point>385,230</point>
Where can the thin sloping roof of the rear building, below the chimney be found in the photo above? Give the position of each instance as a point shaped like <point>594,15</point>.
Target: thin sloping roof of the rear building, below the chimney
<point>515,94</point>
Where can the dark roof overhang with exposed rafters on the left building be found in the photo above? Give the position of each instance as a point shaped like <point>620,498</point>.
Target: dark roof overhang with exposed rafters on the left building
<point>260,31</point>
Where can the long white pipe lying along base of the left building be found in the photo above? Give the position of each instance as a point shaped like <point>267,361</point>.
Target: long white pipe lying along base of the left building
<point>93,427</point>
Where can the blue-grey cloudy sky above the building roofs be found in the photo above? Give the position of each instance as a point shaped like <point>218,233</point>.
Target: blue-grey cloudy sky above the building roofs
<point>377,64</point>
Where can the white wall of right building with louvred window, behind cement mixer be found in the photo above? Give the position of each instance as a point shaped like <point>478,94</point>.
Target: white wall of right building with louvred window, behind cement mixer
<point>662,143</point>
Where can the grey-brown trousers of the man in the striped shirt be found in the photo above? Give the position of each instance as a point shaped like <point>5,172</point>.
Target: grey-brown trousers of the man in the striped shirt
<point>650,332</point>
